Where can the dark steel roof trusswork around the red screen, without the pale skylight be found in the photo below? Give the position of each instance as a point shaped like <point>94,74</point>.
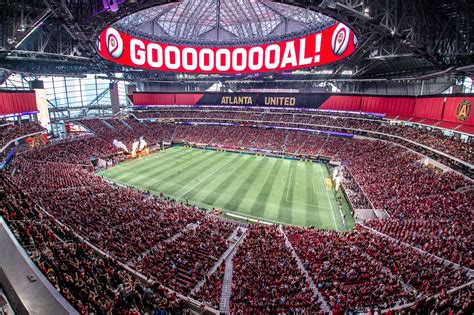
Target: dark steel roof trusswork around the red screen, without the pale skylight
<point>399,39</point>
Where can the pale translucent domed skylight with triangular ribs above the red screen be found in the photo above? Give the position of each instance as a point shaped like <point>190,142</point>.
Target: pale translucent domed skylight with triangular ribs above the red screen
<point>201,21</point>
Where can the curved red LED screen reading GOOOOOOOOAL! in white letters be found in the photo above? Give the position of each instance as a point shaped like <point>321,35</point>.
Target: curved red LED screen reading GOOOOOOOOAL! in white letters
<point>322,48</point>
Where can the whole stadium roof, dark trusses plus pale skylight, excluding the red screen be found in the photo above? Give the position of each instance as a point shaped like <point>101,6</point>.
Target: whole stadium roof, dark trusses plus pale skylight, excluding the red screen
<point>398,39</point>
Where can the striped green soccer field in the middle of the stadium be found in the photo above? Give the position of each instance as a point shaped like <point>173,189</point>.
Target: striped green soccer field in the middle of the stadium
<point>271,189</point>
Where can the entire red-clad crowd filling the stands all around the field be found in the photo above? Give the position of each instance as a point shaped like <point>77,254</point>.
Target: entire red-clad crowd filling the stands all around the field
<point>175,245</point>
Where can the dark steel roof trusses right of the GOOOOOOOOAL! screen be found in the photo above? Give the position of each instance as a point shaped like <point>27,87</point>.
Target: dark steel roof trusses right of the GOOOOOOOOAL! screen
<point>404,37</point>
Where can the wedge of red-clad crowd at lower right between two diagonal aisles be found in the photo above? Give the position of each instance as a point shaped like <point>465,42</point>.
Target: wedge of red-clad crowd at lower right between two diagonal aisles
<point>361,271</point>
